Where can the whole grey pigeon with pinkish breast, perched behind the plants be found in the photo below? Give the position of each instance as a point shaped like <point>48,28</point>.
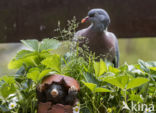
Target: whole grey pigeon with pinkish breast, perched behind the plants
<point>97,38</point>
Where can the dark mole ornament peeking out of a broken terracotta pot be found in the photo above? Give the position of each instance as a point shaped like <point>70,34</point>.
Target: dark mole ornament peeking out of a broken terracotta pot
<point>57,94</point>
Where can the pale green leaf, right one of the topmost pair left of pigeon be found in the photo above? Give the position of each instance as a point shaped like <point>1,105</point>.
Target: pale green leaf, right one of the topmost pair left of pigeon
<point>48,44</point>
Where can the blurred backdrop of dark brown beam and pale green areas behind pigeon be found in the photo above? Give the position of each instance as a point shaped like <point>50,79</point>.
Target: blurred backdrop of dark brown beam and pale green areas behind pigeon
<point>133,22</point>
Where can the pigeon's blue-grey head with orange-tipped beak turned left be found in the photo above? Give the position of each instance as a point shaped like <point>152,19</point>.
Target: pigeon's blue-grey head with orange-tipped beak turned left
<point>97,16</point>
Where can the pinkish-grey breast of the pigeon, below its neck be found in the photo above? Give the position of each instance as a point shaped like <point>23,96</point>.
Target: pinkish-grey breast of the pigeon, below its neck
<point>100,44</point>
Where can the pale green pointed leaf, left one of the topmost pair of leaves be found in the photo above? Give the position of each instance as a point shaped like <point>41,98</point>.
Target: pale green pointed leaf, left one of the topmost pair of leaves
<point>32,44</point>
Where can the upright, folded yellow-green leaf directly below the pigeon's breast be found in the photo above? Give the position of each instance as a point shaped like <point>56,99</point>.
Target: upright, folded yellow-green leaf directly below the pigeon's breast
<point>100,68</point>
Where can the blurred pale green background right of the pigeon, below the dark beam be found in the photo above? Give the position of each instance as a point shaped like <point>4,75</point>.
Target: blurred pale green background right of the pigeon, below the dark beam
<point>133,49</point>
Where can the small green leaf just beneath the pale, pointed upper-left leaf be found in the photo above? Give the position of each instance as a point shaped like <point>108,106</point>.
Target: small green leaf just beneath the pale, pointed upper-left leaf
<point>23,54</point>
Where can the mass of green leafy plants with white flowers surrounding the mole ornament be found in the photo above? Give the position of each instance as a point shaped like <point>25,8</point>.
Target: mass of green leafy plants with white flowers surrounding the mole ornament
<point>103,87</point>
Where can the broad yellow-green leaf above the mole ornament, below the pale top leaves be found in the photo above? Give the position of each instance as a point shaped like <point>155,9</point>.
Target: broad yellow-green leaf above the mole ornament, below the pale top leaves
<point>53,62</point>
